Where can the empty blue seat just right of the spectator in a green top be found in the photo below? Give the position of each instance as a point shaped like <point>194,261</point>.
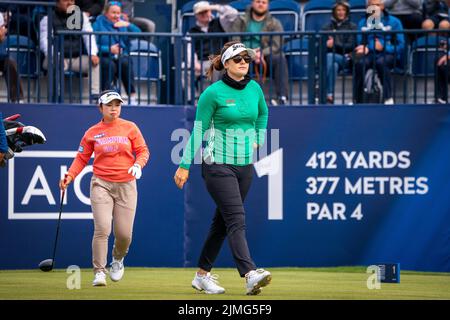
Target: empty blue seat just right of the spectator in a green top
<point>296,52</point>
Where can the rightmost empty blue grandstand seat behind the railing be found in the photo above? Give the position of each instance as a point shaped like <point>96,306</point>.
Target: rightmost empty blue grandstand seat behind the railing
<point>424,53</point>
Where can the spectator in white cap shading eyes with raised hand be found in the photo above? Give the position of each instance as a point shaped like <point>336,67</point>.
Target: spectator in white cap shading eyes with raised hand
<point>203,47</point>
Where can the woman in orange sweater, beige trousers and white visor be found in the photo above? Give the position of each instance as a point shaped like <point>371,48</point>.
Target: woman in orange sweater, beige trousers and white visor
<point>120,154</point>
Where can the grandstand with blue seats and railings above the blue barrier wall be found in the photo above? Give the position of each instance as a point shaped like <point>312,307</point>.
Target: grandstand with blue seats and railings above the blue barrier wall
<point>156,57</point>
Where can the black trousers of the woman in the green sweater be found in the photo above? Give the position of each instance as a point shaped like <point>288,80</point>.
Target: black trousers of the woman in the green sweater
<point>228,185</point>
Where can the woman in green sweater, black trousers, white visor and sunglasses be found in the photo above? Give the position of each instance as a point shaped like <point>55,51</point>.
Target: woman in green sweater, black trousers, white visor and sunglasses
<point>234,112</point>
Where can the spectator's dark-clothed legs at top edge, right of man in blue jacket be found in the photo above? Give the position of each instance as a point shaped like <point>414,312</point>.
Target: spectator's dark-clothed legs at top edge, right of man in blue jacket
<point>409,12</point>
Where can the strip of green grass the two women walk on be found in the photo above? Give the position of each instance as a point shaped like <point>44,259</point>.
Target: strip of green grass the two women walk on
<point>174,284</point>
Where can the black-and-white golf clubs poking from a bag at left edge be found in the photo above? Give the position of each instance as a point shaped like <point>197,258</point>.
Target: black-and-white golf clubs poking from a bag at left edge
<point>19,136</point>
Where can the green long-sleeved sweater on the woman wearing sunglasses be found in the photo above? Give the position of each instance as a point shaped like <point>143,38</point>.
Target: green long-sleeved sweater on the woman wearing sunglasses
<point>236,119</point>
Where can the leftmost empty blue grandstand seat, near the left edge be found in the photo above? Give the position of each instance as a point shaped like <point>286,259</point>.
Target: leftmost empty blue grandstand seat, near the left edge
<point>23,50</point>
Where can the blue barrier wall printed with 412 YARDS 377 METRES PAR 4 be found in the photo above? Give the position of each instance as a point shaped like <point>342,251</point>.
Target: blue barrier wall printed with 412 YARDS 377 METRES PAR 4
<point>403,149</point>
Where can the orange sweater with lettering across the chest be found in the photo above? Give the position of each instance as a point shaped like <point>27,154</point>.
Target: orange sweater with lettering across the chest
<point>113,145</point>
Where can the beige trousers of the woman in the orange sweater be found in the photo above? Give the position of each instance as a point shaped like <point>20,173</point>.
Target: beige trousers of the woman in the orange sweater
<point>112,201</point>
